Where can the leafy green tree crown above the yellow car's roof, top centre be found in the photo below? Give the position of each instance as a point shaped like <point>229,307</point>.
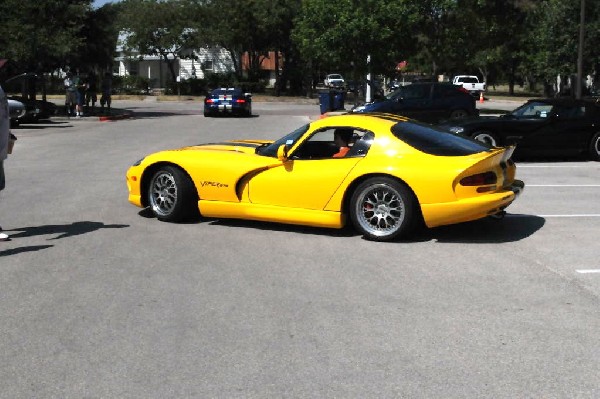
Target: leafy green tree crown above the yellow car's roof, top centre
<point>338,36</point>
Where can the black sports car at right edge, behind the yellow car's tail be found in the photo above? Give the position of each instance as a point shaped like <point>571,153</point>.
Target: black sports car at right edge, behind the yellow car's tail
<point>540,127</point>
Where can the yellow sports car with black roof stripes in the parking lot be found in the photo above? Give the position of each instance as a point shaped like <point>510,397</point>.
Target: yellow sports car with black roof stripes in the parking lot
<point>395,174</point>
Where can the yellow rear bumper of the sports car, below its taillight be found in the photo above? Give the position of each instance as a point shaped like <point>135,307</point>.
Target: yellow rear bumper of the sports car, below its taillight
<point>470,209</point>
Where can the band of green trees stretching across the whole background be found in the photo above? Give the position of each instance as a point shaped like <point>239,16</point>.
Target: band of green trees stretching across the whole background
<point>508,39</point>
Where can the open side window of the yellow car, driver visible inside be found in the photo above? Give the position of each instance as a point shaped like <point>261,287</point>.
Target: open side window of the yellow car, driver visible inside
<point>323,145</point>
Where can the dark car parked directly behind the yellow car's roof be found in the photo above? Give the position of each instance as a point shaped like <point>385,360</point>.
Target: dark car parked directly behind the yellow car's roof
<point>426,102</point>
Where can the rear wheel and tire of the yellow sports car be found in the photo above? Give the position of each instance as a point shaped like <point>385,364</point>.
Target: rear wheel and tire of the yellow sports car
<point>382,209</point>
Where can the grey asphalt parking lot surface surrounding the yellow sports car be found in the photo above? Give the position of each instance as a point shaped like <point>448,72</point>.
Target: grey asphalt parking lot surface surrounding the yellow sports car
<point>99,300</point>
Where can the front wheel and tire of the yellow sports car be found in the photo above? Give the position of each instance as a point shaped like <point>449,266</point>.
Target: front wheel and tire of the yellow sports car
<point>172,195</point>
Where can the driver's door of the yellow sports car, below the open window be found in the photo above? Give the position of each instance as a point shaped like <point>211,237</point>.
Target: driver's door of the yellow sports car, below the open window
<point>308,179</point>
